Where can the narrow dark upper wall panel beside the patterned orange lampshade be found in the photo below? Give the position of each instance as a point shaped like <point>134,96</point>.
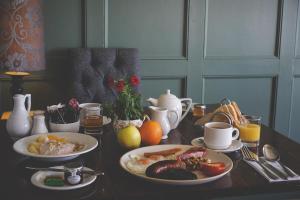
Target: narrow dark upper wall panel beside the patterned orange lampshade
<point>63,23</point>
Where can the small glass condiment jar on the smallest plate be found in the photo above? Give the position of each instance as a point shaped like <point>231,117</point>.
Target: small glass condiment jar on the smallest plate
<point>73,174</point>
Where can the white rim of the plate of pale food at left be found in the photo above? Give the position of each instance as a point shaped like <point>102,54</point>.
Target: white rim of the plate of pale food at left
<point>54,156</point>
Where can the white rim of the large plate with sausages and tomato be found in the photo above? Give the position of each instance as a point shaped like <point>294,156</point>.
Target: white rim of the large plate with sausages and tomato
<point>175,182</point>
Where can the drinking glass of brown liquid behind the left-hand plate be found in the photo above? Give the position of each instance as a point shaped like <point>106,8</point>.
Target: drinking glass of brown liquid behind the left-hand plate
<point>93,120</point>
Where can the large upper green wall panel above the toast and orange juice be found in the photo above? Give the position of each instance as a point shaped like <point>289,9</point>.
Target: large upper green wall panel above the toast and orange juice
<point>241,28</point>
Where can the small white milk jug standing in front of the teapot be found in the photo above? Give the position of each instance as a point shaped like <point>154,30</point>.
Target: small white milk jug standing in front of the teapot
<point>161,116</point>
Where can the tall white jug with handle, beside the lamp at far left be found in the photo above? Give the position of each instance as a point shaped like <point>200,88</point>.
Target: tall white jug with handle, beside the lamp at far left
<point>19,123</point>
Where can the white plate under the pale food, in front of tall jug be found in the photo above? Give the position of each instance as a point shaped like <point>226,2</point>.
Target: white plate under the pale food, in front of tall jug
<point>89,143</point>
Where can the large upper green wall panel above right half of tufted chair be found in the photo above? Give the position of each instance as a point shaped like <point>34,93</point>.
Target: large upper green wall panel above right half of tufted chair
<point>158,27</point>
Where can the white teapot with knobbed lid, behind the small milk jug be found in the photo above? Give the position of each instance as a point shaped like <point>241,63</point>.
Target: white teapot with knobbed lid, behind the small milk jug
<point>174,106</point>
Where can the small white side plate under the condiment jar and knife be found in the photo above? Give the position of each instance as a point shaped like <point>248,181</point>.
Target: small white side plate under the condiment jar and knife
<point>38,178</point>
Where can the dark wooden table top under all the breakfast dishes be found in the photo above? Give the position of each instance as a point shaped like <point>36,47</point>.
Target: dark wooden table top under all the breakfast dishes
<point>242,181</point>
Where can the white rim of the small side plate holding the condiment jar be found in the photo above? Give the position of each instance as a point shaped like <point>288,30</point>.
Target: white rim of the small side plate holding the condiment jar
<point>71,187</point>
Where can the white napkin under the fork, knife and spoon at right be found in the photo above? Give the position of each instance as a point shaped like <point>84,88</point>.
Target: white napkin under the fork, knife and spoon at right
<point>260,170</point>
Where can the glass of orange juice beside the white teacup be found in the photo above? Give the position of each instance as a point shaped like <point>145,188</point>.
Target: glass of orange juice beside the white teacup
<point>250,131</point>
